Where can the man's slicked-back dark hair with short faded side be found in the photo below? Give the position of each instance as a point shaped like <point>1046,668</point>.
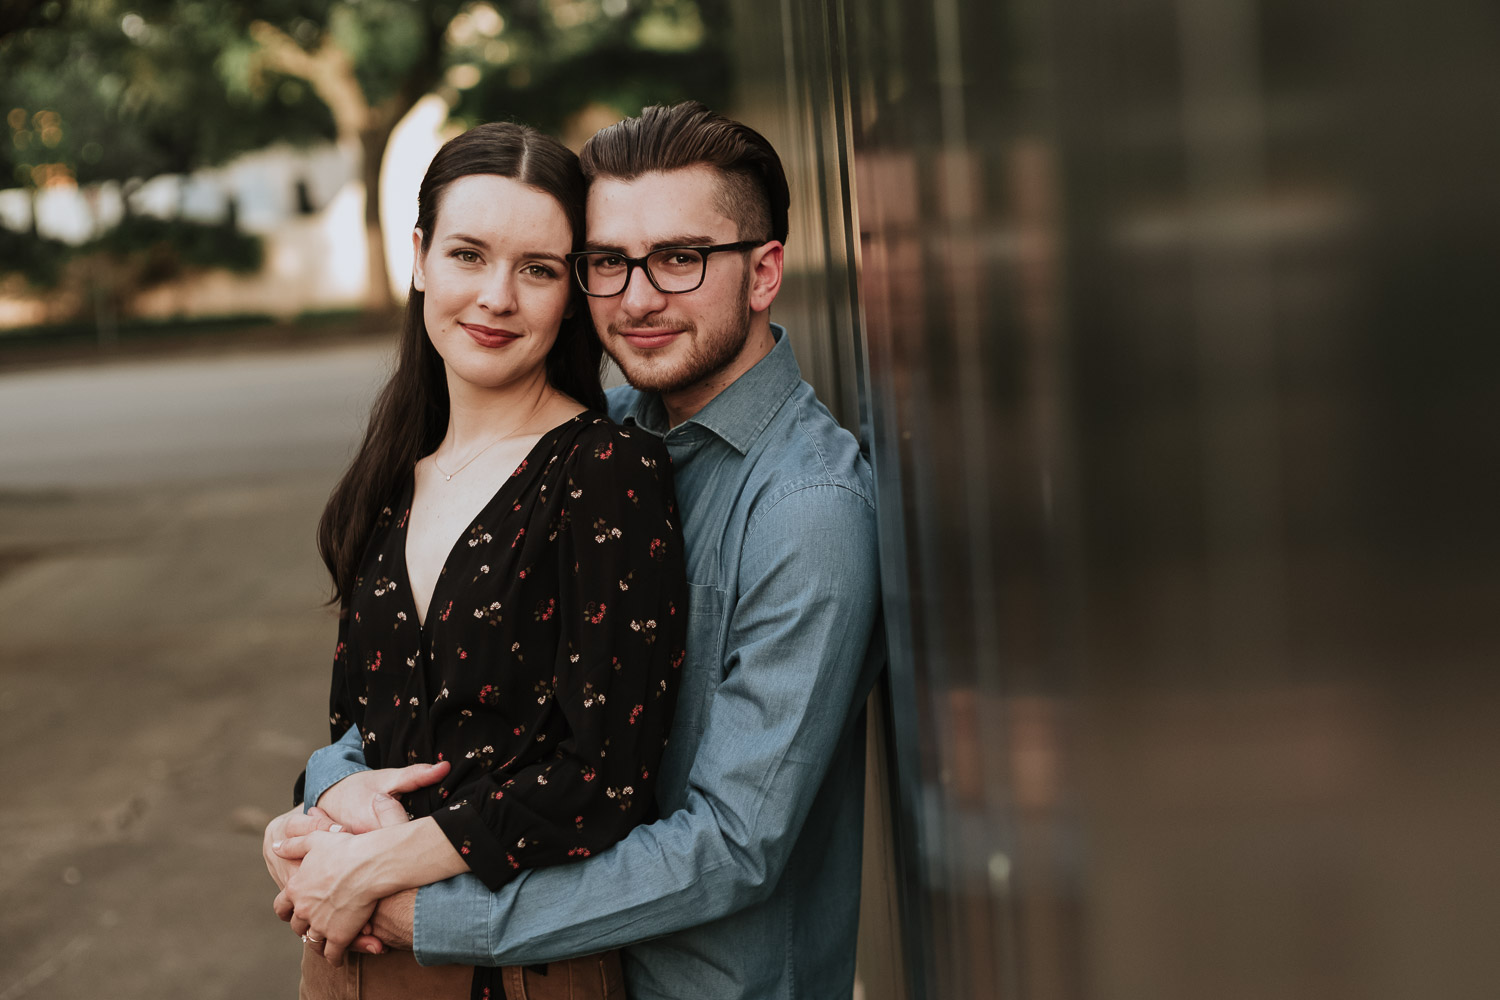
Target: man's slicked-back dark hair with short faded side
<point>673,137</point>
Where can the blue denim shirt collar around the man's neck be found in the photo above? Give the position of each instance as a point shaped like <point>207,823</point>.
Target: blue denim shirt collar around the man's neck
<point>742,412</point>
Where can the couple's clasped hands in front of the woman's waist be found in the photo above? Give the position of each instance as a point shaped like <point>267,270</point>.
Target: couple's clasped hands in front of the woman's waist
<point>325,863</point>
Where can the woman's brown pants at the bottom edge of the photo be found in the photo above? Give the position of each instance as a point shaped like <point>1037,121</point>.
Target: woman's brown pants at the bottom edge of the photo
<point>398,977</point>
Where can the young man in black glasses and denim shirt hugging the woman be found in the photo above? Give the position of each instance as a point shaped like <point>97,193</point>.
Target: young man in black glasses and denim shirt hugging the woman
<point>749,884</point>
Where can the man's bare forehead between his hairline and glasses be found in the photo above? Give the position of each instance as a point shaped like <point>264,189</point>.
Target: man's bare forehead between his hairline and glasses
<point>686,200</point>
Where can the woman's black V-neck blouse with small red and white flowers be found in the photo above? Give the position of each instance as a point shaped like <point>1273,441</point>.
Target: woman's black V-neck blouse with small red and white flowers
<point>547,671</point>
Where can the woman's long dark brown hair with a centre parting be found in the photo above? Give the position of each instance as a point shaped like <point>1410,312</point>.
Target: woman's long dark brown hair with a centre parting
<point>412,412</point>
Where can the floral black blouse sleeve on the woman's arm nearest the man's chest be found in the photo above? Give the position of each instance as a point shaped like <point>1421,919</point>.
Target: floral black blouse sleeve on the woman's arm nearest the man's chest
<point>625,606</point>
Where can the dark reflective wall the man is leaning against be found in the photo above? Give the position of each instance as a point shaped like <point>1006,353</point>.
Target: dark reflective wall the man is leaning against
<point>1172,331</point>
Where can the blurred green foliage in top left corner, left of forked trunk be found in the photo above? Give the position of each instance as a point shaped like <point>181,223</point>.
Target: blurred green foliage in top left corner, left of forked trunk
<point>116,91</point>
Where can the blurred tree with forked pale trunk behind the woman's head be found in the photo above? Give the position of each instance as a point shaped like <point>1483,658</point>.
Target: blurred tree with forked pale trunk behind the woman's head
<point>539,61</point>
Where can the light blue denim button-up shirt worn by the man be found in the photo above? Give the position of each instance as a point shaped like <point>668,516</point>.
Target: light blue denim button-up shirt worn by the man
<point>749,885</point>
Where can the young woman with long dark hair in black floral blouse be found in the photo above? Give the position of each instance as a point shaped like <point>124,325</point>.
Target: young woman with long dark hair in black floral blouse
<point>509,572</point>
